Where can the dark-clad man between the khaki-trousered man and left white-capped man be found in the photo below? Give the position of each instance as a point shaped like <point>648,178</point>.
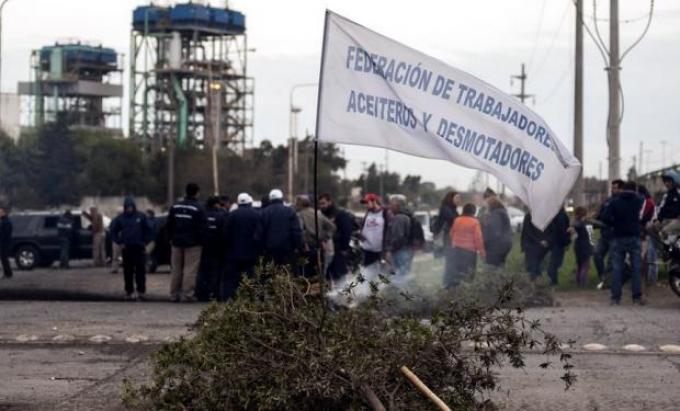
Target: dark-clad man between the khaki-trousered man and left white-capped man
<point>212,256</point>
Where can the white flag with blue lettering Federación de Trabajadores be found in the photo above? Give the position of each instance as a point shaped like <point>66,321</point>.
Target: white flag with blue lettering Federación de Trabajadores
<point>377,92</point>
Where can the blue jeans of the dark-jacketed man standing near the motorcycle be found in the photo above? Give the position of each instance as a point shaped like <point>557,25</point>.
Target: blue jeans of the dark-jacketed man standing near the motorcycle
<point>620,248</point>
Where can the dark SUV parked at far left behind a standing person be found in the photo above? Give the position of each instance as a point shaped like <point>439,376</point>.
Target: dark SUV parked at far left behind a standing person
<point>35,240</point>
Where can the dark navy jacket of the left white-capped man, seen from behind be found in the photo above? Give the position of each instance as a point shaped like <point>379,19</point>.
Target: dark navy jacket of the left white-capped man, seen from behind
<point>243,230</point>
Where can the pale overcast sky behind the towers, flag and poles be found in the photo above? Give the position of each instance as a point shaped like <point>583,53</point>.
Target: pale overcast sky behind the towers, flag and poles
<point>488,38</point>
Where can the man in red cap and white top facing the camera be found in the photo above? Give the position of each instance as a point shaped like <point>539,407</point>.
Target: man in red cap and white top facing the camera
<point>373,229</point>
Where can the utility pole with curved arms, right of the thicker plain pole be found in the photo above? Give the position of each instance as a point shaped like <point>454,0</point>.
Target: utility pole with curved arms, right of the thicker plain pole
<point>613,123</point>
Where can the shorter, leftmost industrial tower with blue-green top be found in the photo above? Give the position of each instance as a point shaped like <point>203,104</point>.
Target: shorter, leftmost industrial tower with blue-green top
<point>75,82</point>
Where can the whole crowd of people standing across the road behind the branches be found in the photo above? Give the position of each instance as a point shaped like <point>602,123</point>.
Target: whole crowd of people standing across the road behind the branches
<point>214,244</point>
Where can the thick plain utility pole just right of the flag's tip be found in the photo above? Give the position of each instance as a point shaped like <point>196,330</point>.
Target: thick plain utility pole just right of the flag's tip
<point>578,194</point>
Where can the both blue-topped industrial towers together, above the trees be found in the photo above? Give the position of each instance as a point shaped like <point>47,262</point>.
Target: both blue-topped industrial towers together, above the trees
<point>188,81</point>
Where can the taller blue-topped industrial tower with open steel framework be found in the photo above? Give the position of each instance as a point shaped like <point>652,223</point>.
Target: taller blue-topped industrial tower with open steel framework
<point>188,77</point>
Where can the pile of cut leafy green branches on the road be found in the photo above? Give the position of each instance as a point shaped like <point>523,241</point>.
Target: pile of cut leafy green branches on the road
<point>279,346</point>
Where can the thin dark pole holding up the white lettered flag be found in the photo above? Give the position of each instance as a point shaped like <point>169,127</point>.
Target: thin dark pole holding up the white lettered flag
<point>322,274</point>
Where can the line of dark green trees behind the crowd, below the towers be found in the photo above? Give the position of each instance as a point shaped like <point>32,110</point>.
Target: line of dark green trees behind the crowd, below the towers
<point>53,166</point>
